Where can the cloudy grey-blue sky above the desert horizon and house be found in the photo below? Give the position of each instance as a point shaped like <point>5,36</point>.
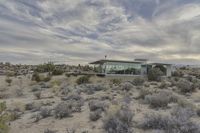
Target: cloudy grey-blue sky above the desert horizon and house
<point>82,31</point>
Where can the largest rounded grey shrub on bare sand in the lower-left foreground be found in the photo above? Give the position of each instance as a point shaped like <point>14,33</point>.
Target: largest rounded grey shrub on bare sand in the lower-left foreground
<point>63,110</point>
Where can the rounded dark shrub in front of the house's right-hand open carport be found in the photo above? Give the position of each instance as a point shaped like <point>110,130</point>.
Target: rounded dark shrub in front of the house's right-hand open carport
<point>155,74</point>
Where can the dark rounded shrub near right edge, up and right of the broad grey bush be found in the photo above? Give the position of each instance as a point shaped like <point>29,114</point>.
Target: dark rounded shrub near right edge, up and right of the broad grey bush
<point>185,86</point>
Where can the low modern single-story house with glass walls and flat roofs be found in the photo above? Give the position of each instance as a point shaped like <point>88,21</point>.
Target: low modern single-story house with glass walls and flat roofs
<point>129,68</point>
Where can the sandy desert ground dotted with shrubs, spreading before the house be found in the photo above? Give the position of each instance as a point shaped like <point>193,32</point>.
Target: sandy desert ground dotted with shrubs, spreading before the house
<point>102,105</point>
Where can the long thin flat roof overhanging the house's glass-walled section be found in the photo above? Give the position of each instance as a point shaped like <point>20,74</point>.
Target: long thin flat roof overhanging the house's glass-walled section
<point>121,61</point>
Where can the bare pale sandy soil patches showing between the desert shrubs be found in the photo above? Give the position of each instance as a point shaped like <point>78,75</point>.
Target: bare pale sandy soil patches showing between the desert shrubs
<point>80,120</point>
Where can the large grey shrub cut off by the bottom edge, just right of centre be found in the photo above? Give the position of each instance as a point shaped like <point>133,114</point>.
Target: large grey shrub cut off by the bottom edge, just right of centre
<point>119,122</point>
